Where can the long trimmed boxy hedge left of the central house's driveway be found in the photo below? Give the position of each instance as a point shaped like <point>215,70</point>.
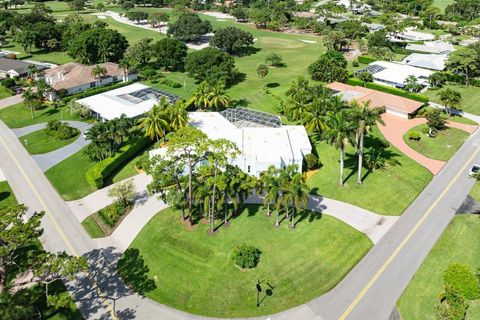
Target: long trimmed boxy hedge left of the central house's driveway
<point>101,170</point>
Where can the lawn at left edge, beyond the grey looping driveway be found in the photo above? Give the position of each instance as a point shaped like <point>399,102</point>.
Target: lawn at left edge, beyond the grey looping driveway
<point>18,116</point>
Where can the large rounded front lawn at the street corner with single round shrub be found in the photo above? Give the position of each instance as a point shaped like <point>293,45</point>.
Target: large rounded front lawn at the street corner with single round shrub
<point>194,272</point>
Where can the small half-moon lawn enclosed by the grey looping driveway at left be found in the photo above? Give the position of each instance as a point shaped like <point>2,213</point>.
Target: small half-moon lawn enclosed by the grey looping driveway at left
<point>40,142</point>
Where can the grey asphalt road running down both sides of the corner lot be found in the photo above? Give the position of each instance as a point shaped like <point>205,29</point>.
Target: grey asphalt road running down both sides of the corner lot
<point>368,292</point>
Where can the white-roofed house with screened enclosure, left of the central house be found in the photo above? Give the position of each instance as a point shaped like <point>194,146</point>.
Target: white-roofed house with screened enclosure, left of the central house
<point>133,101</point>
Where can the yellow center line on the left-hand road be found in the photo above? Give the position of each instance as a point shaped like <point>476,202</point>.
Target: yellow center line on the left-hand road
<point>59,229</point>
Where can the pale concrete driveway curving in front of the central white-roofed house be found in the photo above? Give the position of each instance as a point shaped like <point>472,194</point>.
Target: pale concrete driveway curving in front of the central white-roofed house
<point>369,223</point>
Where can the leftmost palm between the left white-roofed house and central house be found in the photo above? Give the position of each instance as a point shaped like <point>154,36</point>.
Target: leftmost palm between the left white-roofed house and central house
<point>156,121</point>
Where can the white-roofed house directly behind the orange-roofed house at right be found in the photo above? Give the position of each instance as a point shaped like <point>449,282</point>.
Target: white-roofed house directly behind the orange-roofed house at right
<point>394,74</point>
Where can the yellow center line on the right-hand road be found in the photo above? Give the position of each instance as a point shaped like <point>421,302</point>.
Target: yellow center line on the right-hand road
<point>406,239</point>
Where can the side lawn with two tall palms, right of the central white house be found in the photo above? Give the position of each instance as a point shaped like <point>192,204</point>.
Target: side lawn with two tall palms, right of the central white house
<point>388,191</point>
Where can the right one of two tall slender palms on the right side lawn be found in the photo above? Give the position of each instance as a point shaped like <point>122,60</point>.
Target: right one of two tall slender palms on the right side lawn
<point>365,117</point>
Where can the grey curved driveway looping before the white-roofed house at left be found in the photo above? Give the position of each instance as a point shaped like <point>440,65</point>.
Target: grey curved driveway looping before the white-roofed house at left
<point>47,160</point>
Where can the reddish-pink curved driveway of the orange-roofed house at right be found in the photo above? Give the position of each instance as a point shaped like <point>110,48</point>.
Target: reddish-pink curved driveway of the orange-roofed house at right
<point>395,127</point>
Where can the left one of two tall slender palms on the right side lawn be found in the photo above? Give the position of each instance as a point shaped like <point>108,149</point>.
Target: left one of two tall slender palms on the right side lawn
<point>338,133</point>
